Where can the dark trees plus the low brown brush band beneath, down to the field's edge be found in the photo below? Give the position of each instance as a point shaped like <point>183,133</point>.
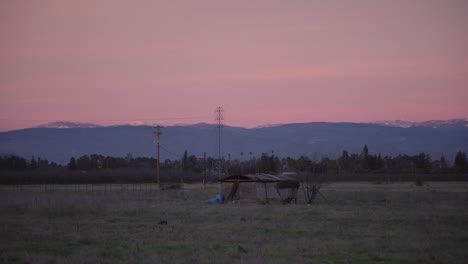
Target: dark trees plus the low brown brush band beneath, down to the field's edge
<point>348,166</point>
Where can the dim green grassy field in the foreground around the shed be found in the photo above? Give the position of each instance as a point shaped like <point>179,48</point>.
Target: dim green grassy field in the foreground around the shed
<point>361,223</point>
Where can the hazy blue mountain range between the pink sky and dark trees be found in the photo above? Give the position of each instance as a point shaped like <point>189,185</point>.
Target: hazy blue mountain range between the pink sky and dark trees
<point>315,140</point>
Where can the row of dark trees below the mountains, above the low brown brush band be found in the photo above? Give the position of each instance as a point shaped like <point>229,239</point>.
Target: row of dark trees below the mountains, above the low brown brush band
<point>358,163</point>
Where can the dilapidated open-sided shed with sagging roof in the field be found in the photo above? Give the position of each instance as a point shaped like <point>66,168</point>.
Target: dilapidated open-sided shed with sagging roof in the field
<point>260,187</point>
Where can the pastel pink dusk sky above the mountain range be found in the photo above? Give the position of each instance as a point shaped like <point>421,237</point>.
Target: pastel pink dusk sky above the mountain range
<point>265,62</point>
